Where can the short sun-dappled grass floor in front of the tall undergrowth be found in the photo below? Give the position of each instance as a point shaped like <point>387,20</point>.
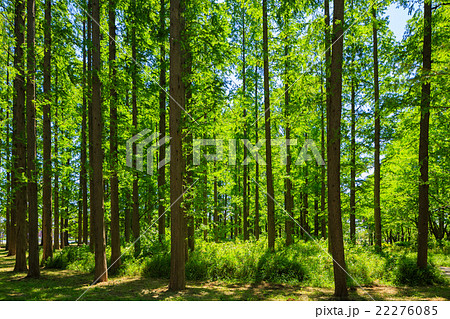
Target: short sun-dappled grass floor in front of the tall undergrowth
<point>56,284</point>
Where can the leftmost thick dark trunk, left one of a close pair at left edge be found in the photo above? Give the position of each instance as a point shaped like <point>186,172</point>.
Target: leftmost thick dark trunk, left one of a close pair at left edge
<point>20,196</point>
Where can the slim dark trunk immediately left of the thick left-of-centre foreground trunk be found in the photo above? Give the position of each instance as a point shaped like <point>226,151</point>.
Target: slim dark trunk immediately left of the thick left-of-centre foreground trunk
<point>162,123</point>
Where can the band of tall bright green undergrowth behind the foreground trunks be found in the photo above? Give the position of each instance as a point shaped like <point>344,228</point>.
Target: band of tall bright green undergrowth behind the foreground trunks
<point>305,263</point>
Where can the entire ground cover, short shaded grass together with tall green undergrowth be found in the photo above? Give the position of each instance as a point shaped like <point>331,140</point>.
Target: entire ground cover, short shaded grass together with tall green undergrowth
<point>231,271</point>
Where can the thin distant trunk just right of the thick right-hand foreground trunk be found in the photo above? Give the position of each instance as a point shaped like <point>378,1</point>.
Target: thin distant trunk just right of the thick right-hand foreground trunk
<point>353,166</point>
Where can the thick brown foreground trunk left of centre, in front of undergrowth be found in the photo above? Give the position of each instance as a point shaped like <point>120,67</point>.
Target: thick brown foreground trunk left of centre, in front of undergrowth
<point>177,250</point>
